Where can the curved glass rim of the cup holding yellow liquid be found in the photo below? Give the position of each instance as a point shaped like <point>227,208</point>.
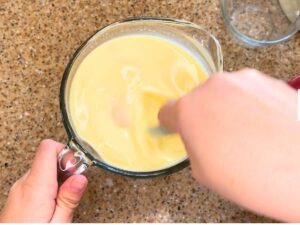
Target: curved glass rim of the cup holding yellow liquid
<point>73,137</point>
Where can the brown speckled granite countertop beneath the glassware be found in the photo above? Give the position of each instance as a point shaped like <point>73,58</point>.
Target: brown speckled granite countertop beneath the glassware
<point>37,38</point>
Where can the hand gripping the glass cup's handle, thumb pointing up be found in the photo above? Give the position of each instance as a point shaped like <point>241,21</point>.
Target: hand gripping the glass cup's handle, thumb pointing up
<point>36,197</point>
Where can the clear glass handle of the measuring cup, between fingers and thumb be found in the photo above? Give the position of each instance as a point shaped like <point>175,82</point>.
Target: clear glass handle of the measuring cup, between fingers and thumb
<point>71,162</point>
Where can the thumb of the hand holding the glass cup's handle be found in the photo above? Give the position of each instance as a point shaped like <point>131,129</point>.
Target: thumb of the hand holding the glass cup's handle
<point>68,198</point>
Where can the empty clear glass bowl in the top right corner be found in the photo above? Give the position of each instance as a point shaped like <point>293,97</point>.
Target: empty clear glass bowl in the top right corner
<point>261,22</point>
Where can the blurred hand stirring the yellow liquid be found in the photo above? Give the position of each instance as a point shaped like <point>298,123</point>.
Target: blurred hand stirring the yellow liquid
<point>241,132</point>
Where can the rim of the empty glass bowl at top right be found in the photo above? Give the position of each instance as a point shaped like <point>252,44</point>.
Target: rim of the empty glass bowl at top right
<point>251,41</point>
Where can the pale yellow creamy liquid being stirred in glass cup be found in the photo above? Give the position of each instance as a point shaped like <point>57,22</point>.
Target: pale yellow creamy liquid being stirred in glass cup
<point>116,94</point>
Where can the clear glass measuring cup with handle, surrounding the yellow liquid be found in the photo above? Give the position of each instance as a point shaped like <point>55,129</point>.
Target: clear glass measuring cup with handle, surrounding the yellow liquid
<point>78,155</point>
